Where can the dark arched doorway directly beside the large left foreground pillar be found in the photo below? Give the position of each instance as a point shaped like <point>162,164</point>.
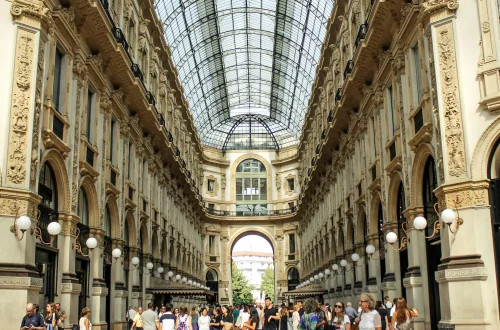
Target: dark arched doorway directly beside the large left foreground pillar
<point>46,256</point>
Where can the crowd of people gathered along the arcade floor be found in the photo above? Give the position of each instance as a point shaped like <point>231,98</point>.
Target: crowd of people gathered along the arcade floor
<point>308,315</point>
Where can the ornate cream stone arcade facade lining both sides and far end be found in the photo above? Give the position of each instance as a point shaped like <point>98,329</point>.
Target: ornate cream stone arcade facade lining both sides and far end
<point>99,137</point>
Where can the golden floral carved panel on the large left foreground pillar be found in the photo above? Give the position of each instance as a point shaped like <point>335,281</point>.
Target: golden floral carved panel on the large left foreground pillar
<point>16,171</point>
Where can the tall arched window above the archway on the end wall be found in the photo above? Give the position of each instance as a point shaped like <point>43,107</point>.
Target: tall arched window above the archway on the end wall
<point>251,188</point>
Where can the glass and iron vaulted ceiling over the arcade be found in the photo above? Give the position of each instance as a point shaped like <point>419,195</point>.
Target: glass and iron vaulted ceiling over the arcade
<point>247,66</point>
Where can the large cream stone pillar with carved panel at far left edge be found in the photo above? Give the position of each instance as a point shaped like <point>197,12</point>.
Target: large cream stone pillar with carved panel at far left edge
<point>23,52</point>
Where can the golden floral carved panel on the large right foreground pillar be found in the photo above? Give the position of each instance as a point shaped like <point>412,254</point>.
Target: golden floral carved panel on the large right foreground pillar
<point>451,107</point>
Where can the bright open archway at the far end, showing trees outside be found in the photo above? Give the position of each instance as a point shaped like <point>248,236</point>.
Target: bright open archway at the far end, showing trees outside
<point>252,269</point>
